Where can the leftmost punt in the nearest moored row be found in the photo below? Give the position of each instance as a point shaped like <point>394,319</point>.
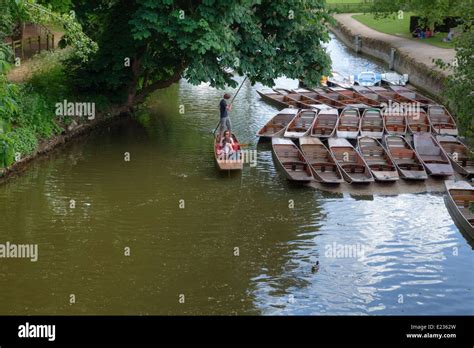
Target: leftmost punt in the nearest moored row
<point>290,159</point>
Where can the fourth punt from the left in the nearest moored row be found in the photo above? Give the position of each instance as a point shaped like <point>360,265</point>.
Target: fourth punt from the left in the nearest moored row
<point>378,159</point>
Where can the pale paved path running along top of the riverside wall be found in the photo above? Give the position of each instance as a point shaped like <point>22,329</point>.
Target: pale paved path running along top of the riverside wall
<point>416,49</point>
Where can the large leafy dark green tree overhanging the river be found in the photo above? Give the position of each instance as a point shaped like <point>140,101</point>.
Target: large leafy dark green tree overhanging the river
<point>165,40</point>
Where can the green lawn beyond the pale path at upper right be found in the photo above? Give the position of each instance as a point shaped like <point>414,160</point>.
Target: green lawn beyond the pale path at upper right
<point>400,27</point>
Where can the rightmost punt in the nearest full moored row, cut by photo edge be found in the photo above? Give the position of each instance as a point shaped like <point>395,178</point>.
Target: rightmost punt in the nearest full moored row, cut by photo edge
<point>458,153</point>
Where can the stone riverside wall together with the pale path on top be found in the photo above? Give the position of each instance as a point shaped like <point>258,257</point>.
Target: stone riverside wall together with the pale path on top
<point>410,57</point>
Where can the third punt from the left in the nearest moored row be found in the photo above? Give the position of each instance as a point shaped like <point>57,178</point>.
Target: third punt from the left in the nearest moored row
<point>352,165</point>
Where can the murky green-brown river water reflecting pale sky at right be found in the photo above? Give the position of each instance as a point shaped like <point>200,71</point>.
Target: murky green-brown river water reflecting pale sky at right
<point>166,233</point>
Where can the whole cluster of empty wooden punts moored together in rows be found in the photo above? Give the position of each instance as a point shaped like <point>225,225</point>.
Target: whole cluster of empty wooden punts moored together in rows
<point>382,151</point>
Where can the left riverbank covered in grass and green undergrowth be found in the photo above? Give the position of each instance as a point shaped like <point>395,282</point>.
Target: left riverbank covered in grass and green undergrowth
<point>28,111</point>
